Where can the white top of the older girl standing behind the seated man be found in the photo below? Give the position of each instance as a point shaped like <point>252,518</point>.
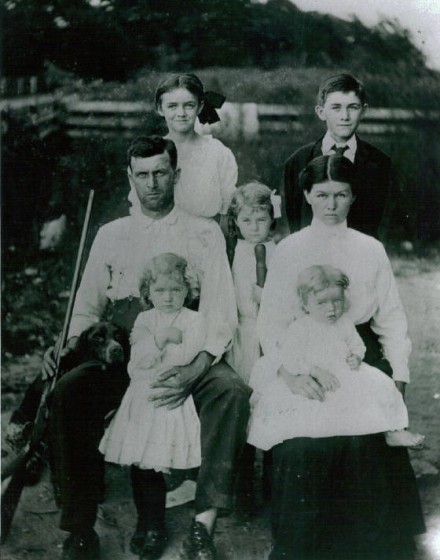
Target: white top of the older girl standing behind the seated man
<point>207,179</point>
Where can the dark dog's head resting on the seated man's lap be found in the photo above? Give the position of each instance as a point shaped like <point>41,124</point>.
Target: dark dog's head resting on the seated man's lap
<point>104,342</point>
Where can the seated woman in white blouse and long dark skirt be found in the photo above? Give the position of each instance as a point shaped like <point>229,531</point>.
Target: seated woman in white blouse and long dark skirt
<point>342,496</point>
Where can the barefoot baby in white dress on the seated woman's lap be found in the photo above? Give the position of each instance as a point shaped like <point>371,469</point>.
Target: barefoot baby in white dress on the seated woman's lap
<point>324,343</point>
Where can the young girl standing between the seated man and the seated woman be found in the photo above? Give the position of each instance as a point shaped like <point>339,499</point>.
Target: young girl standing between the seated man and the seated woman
<point>252,211</point>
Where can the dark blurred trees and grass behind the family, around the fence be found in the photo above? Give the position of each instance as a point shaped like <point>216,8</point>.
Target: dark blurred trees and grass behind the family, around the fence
<point>251,51</point>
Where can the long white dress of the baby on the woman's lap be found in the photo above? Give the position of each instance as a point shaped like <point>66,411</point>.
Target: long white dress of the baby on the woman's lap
<point>366,402</point>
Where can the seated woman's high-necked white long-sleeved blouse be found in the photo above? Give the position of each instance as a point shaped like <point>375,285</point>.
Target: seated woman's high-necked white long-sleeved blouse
<point>372,293</point>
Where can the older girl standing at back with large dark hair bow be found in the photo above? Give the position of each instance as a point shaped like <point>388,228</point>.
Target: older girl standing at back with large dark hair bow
<point>208,168</point>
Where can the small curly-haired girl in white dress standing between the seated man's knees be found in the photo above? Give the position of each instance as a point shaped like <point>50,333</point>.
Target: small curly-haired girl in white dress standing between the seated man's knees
<point>155,439</point>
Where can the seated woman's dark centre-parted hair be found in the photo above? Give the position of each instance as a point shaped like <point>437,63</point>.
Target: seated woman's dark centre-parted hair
<point>328,168</point>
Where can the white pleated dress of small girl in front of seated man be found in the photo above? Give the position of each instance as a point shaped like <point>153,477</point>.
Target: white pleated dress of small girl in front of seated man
<point>155,437</point>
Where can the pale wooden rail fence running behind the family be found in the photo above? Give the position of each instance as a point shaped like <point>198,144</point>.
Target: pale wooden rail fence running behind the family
<point>238,121</point>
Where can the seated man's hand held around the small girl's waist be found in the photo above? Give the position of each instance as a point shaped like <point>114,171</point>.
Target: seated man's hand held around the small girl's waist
<point>175,384</point>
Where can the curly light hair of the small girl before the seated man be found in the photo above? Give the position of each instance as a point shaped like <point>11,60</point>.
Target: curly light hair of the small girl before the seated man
<point>168,264</point>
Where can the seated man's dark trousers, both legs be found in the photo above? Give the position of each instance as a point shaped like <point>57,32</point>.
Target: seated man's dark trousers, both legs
<point>82,399</point>
